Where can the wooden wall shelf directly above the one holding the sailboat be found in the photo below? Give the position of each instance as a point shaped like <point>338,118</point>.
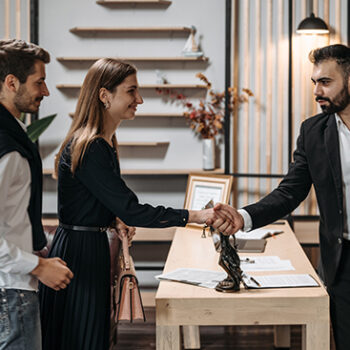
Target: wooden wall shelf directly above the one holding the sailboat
<point>86,30</point>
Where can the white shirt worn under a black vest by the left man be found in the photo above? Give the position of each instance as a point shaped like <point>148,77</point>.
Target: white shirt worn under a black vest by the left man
<point>16,243</point>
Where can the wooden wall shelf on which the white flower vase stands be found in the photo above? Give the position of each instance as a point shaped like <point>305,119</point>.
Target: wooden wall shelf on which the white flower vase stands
<point>158,171</point>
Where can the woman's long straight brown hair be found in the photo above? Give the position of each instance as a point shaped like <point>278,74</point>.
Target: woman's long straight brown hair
<point>88,121</point>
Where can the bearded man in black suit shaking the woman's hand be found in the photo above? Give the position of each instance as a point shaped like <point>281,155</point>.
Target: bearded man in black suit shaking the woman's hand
<point>322,158</point>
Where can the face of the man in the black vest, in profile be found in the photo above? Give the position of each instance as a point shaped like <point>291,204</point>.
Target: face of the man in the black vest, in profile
<point>30,94</point>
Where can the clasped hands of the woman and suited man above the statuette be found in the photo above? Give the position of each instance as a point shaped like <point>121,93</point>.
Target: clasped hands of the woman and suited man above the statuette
<point>222,217</point>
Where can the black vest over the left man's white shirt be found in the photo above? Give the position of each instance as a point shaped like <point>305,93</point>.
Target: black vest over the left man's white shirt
<point>14,138</point>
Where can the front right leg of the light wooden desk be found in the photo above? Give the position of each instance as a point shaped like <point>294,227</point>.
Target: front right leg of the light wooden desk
<point>315,335</point>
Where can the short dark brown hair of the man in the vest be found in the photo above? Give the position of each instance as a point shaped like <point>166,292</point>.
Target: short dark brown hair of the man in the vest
<point>18,57</point>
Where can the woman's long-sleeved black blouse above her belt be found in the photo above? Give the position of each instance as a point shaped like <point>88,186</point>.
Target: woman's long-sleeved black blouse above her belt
<point>96,194</point>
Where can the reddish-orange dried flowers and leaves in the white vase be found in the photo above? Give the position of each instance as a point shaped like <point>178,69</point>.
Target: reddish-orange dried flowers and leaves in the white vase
<point>207,119</point>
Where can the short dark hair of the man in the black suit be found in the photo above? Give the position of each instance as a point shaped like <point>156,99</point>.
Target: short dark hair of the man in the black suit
<point>339,53</point>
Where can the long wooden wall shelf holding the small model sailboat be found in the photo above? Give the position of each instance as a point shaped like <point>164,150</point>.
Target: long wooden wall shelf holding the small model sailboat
<point>136,59</point>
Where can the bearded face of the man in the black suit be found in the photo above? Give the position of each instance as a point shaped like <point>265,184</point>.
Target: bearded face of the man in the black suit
<point>331,88</point>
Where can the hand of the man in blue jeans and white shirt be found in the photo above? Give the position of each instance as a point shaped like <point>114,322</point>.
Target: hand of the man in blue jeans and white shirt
<point>53,272</point>
